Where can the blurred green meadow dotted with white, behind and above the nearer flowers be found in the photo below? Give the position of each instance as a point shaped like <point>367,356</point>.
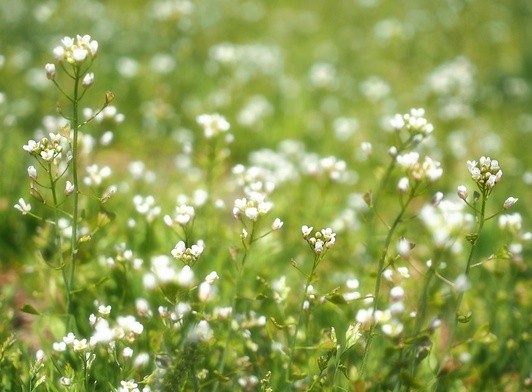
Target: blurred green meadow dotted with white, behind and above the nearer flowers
<point>327,73</point>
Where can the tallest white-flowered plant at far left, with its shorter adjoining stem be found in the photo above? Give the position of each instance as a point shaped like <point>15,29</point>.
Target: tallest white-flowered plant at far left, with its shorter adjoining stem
<point>57,155</point>
